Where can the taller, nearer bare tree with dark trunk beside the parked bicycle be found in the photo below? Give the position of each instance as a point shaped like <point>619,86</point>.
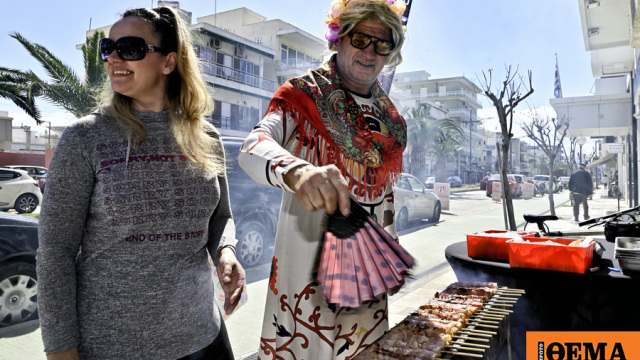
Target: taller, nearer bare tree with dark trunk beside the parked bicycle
<point>508,95</point>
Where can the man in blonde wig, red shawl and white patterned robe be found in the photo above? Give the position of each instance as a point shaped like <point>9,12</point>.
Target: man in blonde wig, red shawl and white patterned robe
<point>327,136</point>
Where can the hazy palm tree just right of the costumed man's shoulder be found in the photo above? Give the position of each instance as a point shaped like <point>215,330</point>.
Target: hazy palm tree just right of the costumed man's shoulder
<point>422,131</point>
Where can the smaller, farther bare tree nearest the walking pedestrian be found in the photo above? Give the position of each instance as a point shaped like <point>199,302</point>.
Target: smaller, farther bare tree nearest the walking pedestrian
<point>549,134</point>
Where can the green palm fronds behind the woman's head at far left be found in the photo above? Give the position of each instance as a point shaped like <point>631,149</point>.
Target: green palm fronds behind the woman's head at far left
<point>65,89</point>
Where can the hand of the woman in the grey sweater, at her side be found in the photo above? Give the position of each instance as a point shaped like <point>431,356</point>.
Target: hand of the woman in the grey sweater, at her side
<point>232,278</point>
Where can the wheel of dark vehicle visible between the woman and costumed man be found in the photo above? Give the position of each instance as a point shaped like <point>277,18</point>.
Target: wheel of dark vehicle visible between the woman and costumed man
<point>251,244</point>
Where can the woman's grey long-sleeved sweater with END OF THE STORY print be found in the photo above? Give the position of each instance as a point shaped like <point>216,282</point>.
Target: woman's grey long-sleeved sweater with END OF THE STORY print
<point>123,269</point>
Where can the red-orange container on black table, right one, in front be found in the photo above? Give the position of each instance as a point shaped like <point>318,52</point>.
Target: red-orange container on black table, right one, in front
<point>557,254</point>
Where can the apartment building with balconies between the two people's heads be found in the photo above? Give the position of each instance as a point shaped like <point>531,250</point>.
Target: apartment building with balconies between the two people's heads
<point>245,58</point>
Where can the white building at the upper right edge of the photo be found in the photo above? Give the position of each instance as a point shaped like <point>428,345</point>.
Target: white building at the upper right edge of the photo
<point>612,36</point>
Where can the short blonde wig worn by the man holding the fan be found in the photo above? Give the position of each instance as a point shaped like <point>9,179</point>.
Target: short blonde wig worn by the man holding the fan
<point>357,11</point>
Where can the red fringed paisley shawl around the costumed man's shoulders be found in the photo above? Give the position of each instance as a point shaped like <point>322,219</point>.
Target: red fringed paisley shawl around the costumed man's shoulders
<point>335,130</point>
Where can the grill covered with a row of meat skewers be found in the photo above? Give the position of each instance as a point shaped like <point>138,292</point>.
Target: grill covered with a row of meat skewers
<point>467,320</point>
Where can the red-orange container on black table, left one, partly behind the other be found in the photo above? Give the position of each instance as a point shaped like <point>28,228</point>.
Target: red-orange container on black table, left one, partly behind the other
<point>492,244</point>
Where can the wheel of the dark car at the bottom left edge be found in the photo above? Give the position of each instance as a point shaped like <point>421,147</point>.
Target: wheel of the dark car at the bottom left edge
<point>18,293</point>
